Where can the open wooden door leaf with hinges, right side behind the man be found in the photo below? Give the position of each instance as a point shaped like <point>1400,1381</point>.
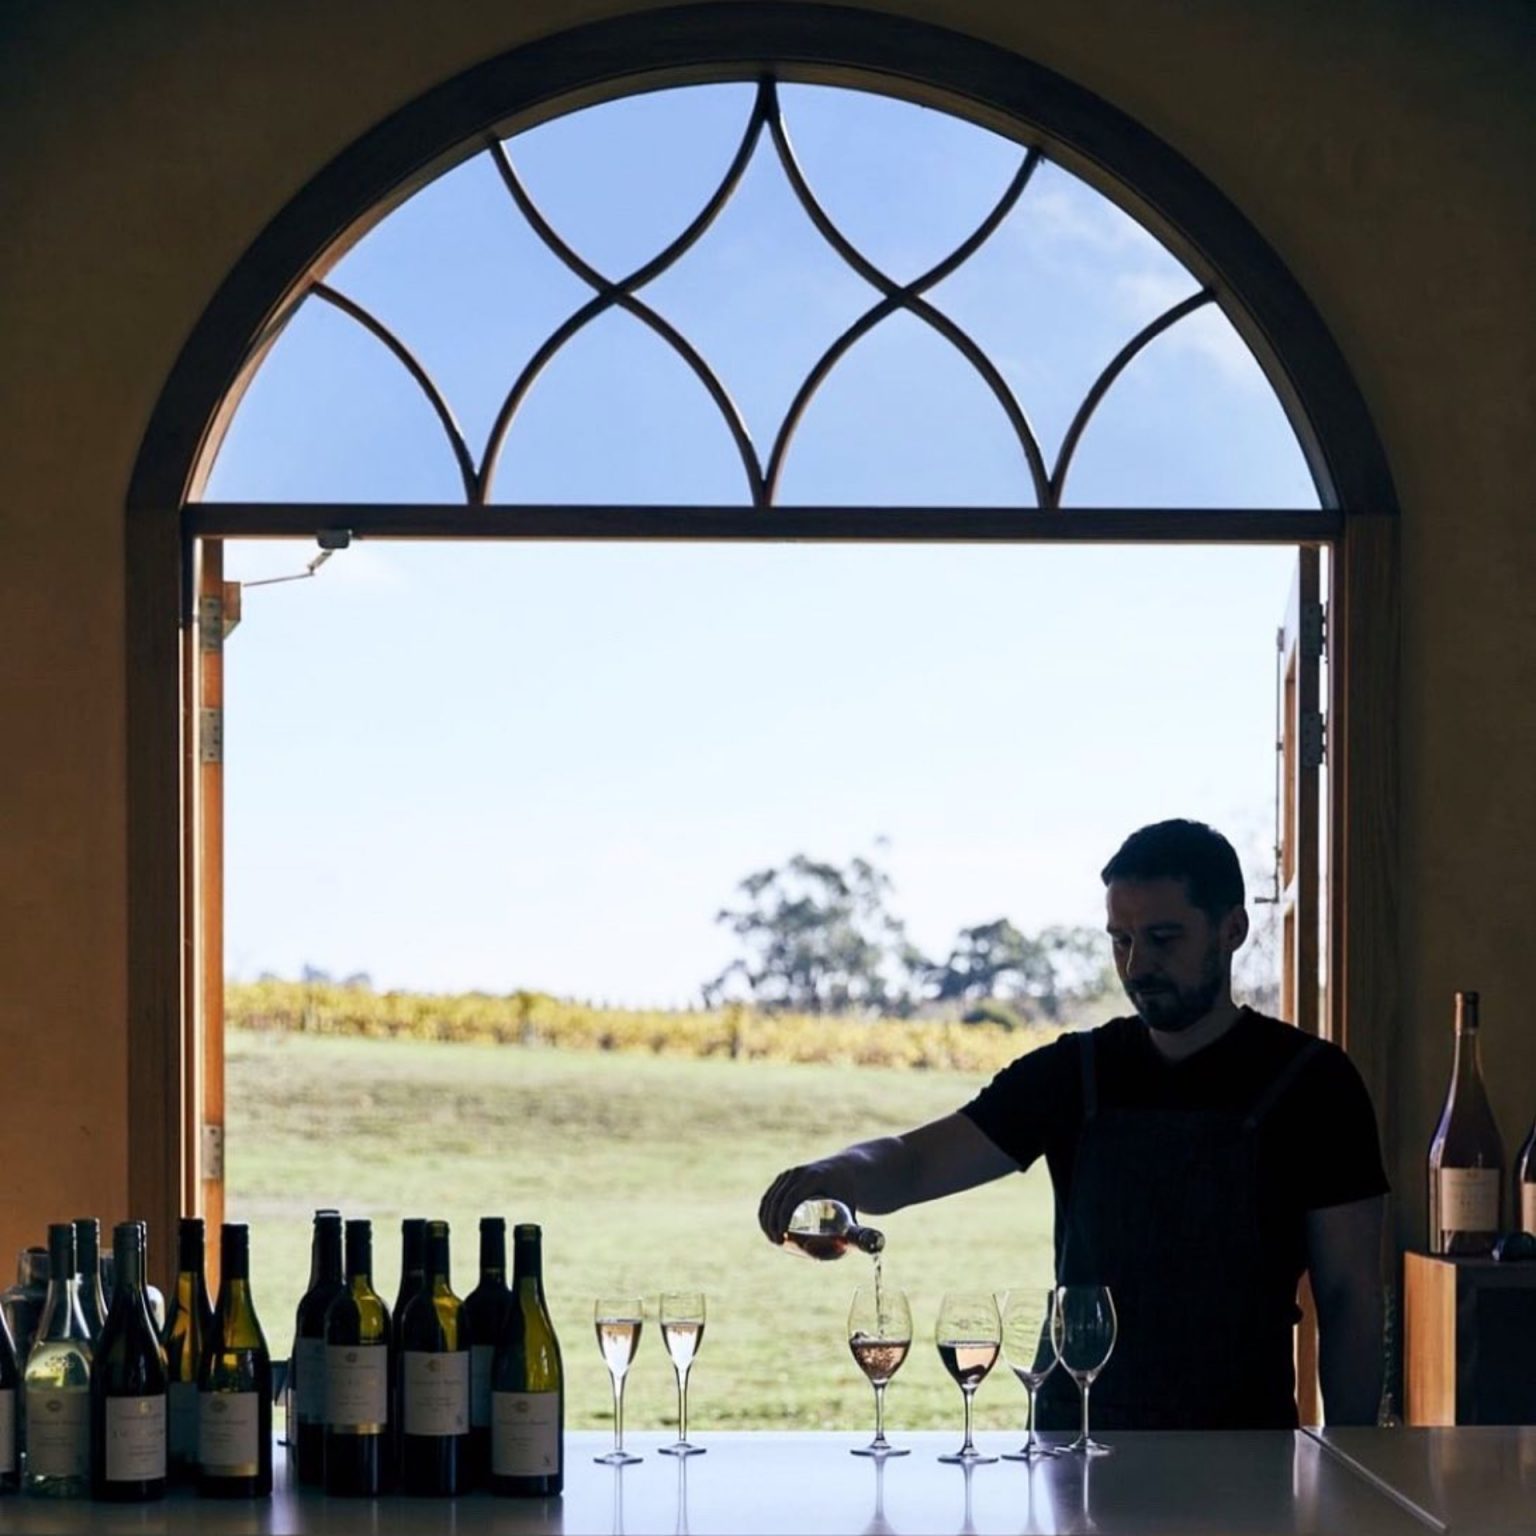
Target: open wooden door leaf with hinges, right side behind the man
<point>1302,746</point>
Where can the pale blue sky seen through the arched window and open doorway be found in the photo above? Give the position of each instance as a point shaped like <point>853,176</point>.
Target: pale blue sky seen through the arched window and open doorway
<point>506,766</point>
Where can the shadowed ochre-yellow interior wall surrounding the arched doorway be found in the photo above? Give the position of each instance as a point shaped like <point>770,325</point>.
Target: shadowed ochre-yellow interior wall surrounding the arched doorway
<point>1383,148</point>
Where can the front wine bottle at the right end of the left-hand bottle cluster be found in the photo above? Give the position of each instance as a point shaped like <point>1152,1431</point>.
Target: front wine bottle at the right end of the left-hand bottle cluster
<point>236,1388</point>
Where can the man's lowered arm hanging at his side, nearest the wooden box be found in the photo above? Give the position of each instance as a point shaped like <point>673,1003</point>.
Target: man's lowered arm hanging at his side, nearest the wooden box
<point>1345,1259</point>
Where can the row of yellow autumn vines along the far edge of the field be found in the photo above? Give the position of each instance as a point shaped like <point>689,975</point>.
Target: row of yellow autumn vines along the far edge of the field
<point>534,1019</point>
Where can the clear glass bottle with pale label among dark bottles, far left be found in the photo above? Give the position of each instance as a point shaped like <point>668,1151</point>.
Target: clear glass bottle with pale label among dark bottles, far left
<point>59,1382</point>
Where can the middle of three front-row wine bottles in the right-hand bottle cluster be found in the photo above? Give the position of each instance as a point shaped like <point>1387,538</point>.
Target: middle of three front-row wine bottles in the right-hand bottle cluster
<point>434,1374</point>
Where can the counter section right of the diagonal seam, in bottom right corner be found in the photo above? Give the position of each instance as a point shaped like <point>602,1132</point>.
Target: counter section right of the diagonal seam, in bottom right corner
<point>1477,1480</point>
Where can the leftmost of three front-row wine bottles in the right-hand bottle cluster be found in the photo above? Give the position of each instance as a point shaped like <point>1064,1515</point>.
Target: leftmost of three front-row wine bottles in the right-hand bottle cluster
<point>357,1377</point>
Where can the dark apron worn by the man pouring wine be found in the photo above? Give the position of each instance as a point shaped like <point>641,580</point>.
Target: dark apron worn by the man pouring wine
<point>1165,1211</point>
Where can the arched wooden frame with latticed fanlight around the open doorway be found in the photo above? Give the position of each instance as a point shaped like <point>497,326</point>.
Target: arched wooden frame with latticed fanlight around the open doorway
<point>1071,337</point>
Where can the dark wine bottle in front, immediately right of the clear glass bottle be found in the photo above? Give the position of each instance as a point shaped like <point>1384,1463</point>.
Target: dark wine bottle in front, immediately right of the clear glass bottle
<point>128,1386</point>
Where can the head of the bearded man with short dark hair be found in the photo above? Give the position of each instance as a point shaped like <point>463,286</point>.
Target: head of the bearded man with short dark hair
<point>1174,901</point>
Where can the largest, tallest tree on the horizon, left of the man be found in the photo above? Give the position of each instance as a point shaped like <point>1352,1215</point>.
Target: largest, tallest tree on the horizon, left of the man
<point>819,941</point>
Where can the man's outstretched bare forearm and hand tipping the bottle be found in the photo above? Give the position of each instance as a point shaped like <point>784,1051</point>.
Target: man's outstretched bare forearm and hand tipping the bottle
<point>939,1159</point>
